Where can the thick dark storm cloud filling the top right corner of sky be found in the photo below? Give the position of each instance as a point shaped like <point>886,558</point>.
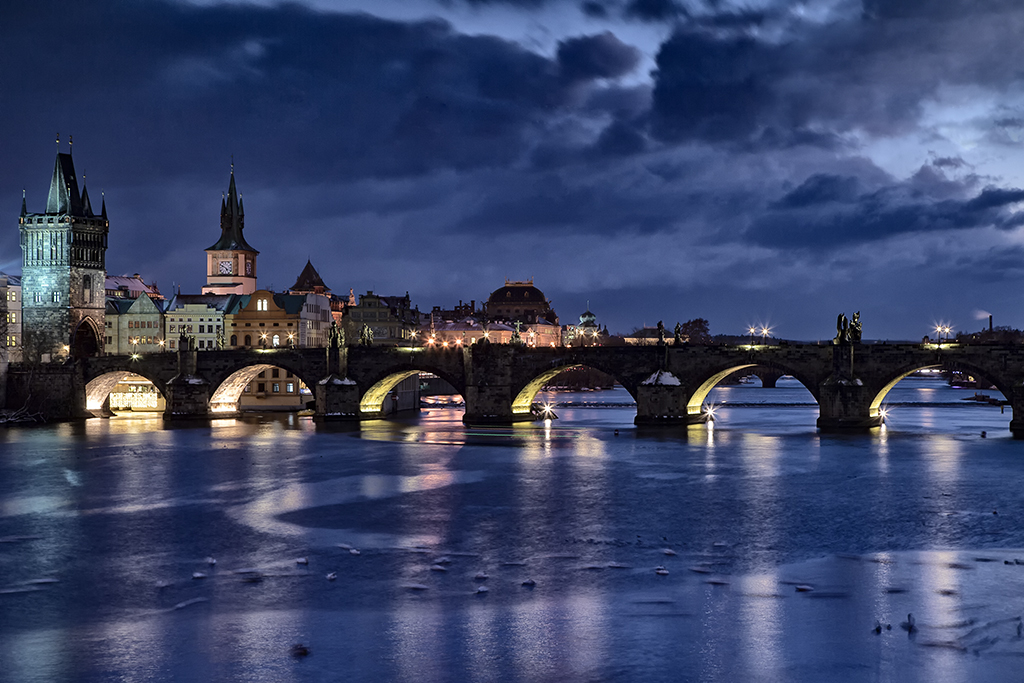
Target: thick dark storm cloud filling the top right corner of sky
<point>810,83</point>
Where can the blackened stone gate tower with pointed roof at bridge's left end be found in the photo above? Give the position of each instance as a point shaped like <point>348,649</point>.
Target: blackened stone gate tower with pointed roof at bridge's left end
<point>64,269</point>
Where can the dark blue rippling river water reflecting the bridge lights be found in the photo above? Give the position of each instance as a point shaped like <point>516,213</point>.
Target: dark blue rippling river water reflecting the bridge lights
<point>782,547</point>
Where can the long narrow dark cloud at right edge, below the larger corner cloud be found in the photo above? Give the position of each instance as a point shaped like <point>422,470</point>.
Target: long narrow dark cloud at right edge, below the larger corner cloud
<point>829,211</point>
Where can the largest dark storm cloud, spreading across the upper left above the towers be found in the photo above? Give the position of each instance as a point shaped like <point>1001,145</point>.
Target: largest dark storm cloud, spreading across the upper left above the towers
<point>296,94</point>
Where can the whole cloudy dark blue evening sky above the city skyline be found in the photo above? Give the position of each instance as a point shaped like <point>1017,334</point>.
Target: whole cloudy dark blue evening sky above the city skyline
<point>753,162</point>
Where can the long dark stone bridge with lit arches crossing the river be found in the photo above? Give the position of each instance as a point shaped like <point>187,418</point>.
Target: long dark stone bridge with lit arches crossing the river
<point>500,382</point>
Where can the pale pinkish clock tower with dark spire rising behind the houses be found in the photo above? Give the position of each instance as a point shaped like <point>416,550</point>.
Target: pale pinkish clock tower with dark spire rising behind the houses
<point>231,264</point>
